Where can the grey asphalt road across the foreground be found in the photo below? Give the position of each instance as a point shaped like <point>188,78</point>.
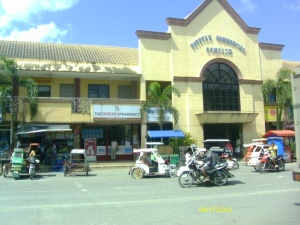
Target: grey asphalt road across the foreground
<point>110,196</point>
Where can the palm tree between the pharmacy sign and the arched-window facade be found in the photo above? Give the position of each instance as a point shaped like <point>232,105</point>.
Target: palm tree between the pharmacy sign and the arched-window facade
<point>160,98</point>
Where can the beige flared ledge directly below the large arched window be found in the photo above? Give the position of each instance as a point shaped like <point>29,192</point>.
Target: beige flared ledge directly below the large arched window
<point>216,117</point>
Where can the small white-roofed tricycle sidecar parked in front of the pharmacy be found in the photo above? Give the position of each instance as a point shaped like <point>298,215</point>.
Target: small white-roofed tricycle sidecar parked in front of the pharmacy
<point>77,163</point>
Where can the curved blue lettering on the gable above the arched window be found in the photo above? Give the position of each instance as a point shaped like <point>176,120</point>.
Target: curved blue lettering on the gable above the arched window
<point>208,40</point>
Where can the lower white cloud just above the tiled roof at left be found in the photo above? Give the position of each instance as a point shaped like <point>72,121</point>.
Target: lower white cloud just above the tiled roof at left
<point>44,33</point>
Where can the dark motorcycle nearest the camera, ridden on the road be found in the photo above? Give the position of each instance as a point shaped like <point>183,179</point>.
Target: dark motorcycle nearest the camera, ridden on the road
<point>218,175</point>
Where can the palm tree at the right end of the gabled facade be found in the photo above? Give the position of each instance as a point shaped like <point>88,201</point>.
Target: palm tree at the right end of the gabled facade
<point>282,89</point>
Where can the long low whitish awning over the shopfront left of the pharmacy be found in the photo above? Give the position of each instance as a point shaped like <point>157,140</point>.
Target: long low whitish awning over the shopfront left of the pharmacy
<point>30,129</point>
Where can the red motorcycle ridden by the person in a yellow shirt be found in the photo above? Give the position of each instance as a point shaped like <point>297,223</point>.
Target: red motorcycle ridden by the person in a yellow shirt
<point>265,163</point>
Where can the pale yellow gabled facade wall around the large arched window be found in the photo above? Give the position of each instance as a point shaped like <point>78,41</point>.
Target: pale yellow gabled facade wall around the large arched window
<point>175,57</point>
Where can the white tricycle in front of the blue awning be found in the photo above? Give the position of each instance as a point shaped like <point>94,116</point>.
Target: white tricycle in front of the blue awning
<point>151,163</point>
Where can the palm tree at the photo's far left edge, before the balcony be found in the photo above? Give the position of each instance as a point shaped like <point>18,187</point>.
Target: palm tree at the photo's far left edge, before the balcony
<point>9,93</point>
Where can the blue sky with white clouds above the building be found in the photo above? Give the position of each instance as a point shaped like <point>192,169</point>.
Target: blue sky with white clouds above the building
<point>114,22</point>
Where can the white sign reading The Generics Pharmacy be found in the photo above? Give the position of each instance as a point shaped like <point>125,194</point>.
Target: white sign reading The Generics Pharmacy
<point>117,112</point>
